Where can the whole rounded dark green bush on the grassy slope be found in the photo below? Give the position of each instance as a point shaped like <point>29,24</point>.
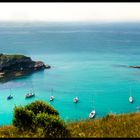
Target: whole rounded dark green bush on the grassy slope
<point>40,119</point>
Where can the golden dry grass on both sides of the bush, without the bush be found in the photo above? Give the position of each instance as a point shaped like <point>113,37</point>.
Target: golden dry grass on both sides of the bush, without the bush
<point>124,125</point>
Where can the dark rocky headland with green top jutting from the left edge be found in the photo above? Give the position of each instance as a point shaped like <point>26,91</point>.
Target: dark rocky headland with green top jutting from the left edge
<point>12,66</point>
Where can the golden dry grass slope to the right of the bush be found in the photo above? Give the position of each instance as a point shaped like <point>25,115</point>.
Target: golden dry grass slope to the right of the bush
<point>125,125</point>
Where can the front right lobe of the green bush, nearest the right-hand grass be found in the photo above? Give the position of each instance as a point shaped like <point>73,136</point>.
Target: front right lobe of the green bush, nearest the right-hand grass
<point>51,126</point>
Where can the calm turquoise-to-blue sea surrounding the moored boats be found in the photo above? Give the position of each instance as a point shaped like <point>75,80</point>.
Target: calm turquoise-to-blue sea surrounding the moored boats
<point>88,61</point>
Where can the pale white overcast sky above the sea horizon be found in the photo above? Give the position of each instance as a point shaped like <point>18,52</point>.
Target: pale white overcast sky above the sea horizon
<point>61,12</point>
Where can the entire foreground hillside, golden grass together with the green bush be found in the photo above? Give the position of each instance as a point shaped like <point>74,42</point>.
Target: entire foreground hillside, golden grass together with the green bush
<point>39,119</point>
